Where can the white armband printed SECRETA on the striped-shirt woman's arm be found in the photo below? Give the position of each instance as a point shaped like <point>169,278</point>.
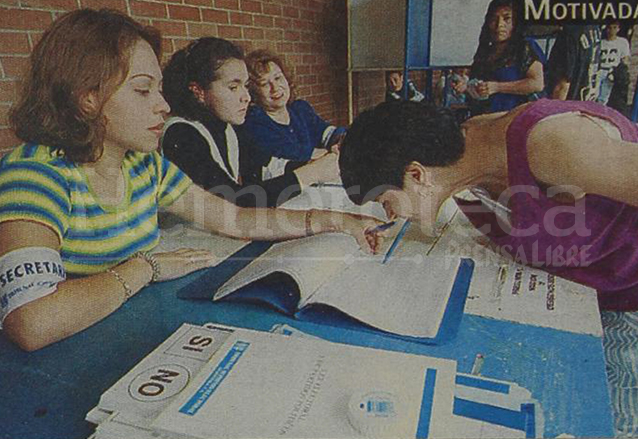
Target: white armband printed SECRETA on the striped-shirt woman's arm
<point>27,274</point>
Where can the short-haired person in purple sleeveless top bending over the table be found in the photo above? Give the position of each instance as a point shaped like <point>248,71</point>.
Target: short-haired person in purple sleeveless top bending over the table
<point>556,182</point>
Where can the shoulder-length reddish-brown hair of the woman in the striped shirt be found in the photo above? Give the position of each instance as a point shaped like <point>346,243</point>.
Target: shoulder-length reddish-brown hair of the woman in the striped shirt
<point>84,52</point>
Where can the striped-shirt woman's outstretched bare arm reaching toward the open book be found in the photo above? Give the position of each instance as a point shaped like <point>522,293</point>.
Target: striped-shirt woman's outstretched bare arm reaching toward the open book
<point>222,217</point>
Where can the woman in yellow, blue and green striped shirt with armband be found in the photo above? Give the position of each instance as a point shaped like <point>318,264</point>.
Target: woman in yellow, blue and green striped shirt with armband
<point>81,196</point>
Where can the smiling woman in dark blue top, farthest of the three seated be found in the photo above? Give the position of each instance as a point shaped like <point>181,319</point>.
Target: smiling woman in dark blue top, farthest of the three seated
<point>284,127</point>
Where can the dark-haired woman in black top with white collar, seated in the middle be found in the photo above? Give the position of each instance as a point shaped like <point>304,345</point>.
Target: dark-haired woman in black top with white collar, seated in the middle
<point>205,85</point>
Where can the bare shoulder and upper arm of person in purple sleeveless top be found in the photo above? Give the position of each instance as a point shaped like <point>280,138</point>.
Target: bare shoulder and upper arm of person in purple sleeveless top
<point>575,151</point>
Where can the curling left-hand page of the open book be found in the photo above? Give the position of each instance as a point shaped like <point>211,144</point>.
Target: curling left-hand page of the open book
<point>309,261</point>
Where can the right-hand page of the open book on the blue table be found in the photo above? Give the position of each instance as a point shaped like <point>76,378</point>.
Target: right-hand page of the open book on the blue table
<point>406,296</point>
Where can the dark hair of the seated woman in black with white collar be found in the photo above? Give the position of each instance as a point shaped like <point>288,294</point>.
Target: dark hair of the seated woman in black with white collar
<point>198,62</point>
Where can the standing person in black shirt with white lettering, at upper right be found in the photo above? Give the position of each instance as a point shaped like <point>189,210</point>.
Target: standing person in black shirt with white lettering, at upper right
<point>574,63</point>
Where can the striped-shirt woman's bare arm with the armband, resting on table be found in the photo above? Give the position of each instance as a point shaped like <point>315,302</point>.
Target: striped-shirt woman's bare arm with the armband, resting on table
<point>75,305</point>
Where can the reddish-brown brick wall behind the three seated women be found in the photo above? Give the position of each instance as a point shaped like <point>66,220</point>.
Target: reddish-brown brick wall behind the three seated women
<point>310,34</point>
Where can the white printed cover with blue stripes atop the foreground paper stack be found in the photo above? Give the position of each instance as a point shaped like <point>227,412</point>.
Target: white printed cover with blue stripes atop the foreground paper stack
<point>268,385</point>
